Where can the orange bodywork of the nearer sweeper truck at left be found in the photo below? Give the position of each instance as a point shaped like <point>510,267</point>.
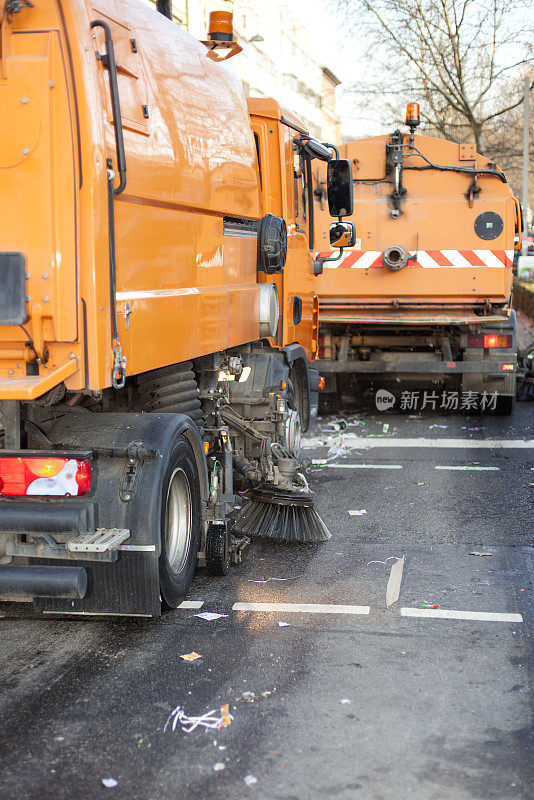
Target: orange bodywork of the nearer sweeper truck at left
<point>186,281</point>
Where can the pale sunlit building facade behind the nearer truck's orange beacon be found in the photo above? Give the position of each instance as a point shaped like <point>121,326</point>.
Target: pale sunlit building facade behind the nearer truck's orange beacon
<point>277,59</point>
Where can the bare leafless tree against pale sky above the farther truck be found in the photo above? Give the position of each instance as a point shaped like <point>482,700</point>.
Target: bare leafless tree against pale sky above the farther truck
<point>465,60</point>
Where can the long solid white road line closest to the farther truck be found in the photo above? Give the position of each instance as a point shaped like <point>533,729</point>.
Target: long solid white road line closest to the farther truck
<point>358,442</point>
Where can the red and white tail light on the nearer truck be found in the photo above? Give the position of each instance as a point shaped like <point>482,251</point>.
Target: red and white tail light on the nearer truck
<point>44,476</point>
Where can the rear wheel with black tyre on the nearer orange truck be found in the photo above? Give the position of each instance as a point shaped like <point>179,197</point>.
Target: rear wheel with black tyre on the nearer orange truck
<point>180,524</point>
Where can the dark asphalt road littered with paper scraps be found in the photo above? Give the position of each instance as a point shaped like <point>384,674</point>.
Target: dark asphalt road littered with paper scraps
<point>369,704</point>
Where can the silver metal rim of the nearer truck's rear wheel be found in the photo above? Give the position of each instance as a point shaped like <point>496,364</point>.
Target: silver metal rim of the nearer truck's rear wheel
<point>178,521</point>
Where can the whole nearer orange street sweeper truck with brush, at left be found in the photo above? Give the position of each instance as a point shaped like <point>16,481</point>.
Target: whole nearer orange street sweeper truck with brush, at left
<point>157,315</point>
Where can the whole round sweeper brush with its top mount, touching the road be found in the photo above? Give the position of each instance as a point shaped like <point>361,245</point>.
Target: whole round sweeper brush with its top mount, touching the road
<point>285,515</point>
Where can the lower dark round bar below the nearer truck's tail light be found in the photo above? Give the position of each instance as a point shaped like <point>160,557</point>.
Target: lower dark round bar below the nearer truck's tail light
<point>24,582</point>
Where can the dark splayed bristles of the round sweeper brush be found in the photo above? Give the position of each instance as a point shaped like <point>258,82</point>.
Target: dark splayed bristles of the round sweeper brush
<point>283,523</point>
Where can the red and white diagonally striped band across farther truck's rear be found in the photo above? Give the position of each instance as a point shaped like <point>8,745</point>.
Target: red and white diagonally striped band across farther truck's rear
<point>427,259</point>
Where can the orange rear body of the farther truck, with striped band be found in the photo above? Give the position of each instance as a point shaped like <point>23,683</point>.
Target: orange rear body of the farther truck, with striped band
<point>457,281</point>
